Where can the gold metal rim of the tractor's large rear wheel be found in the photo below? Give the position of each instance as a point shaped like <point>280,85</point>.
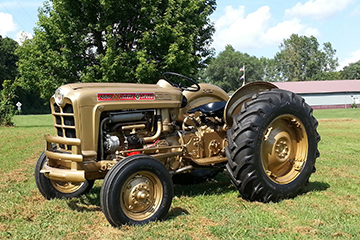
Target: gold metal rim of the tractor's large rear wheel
<point>284,149</point>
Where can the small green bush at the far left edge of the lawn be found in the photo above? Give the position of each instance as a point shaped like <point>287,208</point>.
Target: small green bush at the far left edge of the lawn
<point>7,110</point>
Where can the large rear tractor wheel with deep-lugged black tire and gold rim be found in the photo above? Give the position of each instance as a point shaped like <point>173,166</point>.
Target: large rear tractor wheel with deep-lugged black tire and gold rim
<point>272,146</point>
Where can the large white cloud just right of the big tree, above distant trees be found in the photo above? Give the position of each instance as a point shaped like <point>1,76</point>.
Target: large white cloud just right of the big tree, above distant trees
<point>253,31</point>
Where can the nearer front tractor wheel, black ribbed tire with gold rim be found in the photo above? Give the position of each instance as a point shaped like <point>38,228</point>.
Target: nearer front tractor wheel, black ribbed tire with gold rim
<point>136,190</point>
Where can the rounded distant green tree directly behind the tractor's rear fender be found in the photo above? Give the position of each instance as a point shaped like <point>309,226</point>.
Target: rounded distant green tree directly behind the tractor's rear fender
<point>223,70</point>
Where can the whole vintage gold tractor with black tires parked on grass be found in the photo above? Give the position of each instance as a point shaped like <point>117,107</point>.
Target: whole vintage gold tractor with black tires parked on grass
<point>140,138</point>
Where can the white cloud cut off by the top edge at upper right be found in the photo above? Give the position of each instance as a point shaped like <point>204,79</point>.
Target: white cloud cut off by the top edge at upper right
<point>317,9</point>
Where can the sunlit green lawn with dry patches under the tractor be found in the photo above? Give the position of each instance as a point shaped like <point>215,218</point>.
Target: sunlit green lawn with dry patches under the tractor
<point>328,208</point>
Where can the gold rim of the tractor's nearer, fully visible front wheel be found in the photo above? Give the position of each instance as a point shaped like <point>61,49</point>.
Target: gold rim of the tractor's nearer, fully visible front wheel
<point>141,195</point>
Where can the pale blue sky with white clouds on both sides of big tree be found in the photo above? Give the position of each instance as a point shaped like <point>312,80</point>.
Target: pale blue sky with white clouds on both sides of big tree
<point>253,27</point>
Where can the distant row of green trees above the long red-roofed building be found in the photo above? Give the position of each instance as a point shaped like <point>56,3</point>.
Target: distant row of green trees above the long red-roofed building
<point>300,58</point>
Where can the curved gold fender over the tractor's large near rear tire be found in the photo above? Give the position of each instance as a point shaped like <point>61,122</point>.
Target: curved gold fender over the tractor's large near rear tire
<point>242,95</point>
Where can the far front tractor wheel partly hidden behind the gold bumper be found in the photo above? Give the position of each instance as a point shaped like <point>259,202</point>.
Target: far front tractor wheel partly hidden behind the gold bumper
<point>57,189</point>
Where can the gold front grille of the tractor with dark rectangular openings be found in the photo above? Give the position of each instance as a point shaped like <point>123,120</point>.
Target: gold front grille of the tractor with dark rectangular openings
<point>64,123</point>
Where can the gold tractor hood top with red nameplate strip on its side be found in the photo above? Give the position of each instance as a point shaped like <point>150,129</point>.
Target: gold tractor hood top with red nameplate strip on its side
<point>131,95</point>
